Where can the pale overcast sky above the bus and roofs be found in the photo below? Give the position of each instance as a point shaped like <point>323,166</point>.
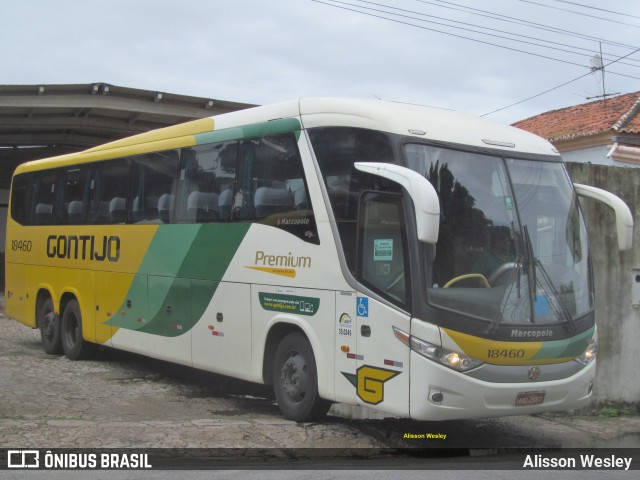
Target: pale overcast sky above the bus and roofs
<point>264,51</point>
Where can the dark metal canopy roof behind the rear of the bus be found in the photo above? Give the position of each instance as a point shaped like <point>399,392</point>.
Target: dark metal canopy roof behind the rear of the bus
<point>38,121</point>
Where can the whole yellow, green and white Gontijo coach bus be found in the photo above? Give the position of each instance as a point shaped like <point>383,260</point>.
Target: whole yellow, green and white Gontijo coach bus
<point>420,262</point>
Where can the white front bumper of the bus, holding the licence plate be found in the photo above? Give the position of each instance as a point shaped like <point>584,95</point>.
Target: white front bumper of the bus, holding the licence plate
<point>440,393</point>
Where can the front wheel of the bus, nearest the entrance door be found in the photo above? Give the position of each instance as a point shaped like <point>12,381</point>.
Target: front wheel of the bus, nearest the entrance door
<point>295,380</point>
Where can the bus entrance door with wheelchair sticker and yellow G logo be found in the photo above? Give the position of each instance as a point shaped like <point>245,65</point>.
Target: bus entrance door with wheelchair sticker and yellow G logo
<point>382,377</point>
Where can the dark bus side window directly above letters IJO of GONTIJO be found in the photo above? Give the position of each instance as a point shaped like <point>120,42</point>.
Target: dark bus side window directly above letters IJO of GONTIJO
<point>109,185</point>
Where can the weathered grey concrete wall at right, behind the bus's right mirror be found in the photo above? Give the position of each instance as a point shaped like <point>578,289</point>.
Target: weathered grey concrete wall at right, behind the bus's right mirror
<point>617,283</point>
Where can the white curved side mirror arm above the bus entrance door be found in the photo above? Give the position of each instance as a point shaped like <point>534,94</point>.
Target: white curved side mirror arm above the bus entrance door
<point>424,196</point>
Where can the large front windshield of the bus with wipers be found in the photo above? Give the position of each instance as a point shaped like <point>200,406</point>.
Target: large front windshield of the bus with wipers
<point>512,244</point>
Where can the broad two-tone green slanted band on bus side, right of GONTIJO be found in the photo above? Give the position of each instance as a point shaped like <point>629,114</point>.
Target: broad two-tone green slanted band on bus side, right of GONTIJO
<point>189,261</point>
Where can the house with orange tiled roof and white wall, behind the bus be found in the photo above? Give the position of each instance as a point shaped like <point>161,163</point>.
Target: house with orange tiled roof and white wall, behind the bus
<point>602,132</point>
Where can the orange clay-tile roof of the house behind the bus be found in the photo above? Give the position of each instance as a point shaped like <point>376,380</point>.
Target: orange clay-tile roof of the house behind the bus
<point>620,114</point>
